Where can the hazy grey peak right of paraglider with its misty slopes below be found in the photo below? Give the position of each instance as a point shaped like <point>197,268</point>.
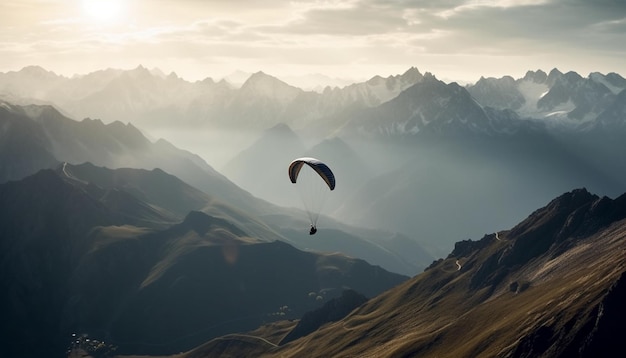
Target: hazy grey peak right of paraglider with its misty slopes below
<point>451,160</point>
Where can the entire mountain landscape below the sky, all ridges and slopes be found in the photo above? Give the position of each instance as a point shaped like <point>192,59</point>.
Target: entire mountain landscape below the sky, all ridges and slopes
<point>110,234</point>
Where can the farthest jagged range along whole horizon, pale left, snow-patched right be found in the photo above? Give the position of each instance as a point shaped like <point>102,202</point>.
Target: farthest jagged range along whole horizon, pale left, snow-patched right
<point>150,98</point>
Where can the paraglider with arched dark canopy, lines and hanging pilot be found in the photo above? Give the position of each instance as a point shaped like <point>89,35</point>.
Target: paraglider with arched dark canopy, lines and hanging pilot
<point>314,181</point>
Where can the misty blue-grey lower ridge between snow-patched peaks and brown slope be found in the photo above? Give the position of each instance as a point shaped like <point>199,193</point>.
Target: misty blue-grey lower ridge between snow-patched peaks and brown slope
<point>451,188</point>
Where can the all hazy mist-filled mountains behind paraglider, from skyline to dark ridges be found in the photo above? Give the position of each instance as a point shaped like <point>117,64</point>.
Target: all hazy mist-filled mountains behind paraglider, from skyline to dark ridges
<point>433,160</point>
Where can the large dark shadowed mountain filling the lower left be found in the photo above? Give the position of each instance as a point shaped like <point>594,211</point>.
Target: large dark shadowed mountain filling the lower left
<point>110,258</point>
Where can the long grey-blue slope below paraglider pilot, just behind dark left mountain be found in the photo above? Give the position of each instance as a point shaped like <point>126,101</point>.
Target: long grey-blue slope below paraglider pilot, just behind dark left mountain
<point>173,199</point>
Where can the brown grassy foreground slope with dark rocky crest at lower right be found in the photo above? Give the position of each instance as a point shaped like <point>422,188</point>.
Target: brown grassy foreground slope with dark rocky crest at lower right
<point>552,286</point>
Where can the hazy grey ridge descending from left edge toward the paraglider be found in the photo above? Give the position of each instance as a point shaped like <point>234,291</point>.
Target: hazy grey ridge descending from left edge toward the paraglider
<point>113,145</point>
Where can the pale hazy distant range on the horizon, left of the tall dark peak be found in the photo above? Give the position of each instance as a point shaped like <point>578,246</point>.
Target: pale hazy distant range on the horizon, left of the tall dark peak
<point>148,99</point>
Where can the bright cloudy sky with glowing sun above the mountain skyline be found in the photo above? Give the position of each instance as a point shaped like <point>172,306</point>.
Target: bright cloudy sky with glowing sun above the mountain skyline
<point>456,40</point>
